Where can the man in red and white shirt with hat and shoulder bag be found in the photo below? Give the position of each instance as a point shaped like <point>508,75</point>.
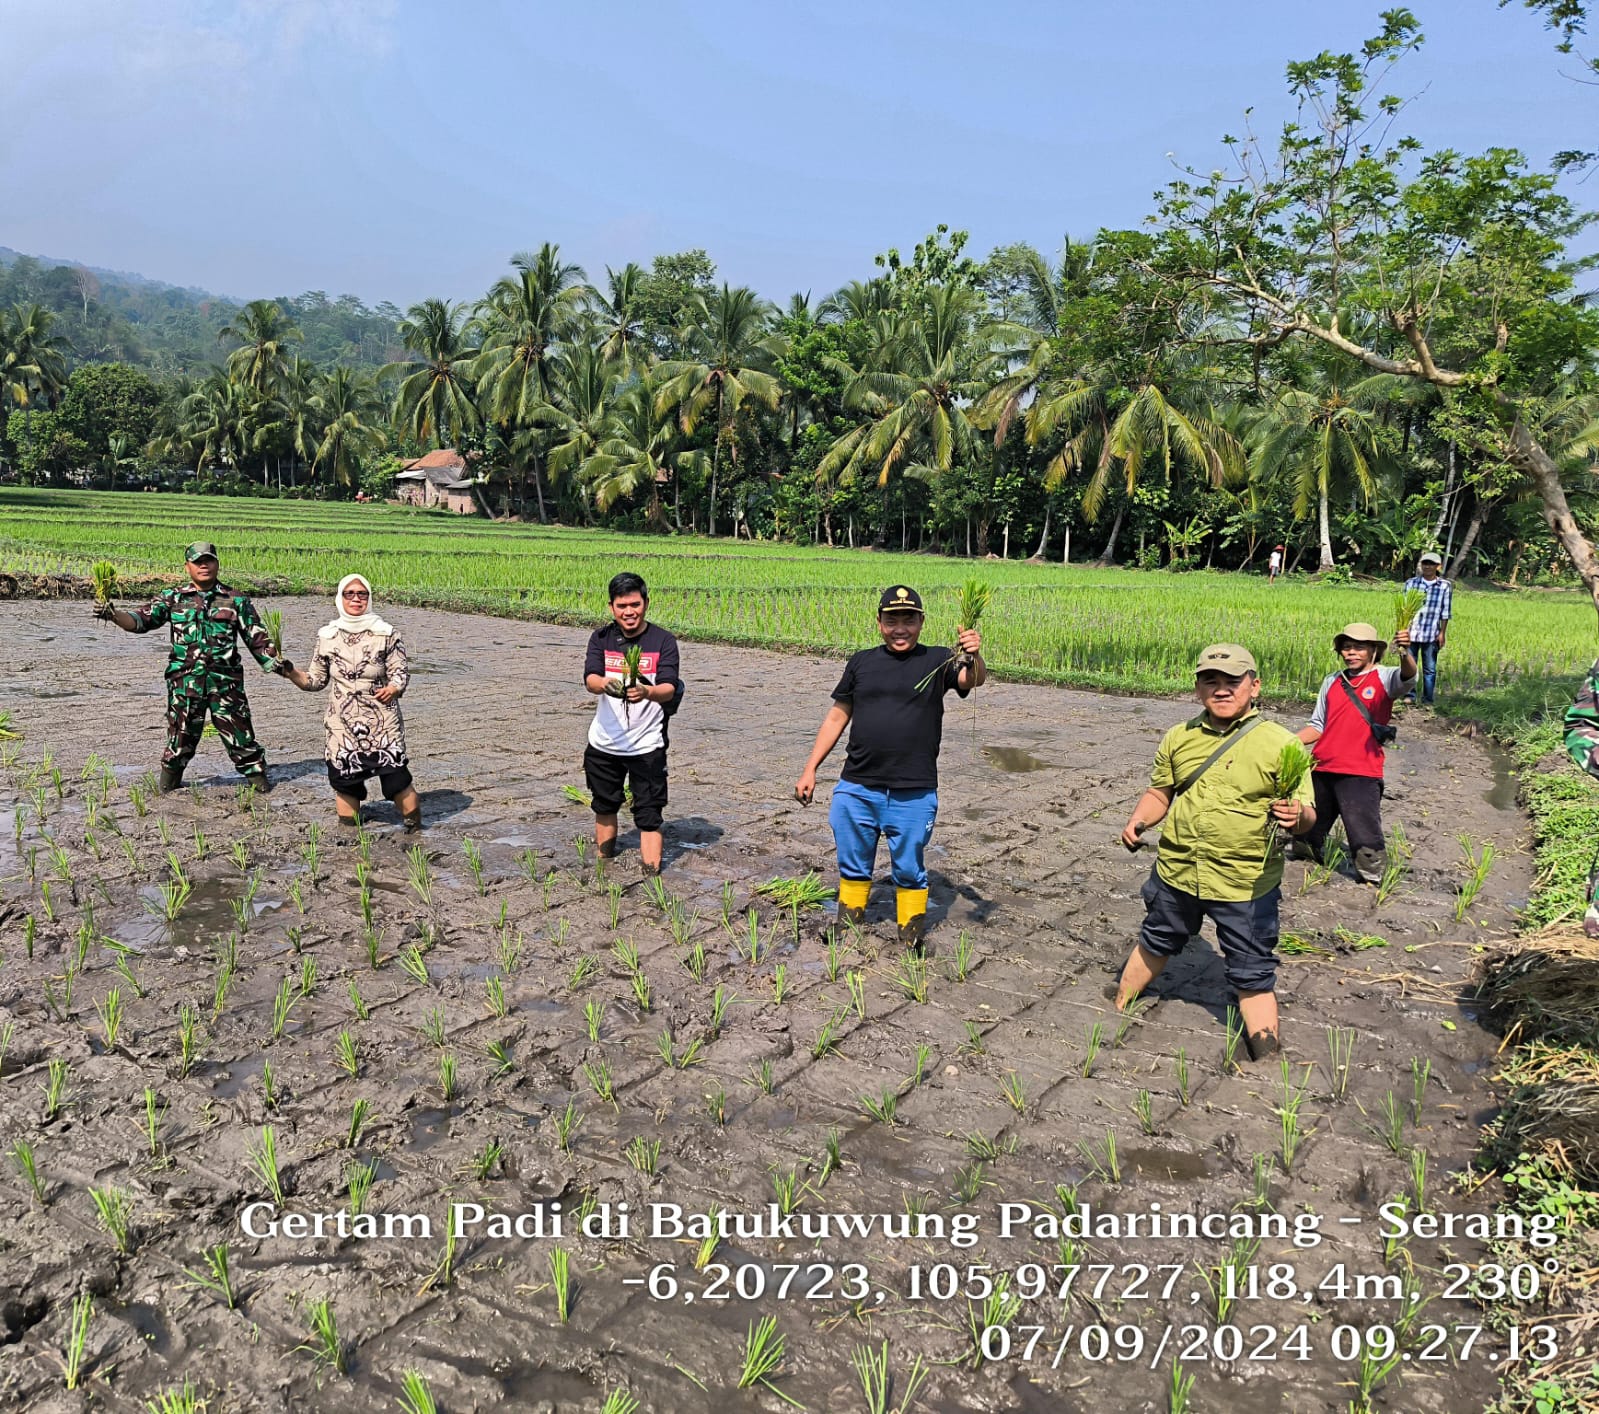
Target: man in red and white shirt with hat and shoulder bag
<point>1346,735</point>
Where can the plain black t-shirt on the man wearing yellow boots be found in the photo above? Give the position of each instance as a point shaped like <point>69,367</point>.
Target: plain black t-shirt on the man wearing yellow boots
<point>895,732</point>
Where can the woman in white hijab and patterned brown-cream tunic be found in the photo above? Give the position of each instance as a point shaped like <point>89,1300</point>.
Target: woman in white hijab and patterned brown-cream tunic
<point>365,663</point>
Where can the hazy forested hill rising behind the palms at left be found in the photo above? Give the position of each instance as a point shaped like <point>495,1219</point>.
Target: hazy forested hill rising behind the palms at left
<point>113,316</point>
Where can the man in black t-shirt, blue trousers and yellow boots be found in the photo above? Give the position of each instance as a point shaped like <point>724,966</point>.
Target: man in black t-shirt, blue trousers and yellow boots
<point>891,698</point>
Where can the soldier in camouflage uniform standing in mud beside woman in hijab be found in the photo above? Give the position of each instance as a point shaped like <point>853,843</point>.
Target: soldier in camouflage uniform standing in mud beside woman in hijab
<point>204,673</point>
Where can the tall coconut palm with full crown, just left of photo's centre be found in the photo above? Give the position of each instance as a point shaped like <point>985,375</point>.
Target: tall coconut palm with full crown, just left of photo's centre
<point>730,353</point>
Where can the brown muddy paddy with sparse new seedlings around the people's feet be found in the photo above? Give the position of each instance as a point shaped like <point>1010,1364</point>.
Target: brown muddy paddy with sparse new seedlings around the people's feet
<point>512,1053</point>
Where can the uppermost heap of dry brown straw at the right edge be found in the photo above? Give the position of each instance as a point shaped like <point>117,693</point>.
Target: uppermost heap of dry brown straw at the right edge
<point>1545,988</point>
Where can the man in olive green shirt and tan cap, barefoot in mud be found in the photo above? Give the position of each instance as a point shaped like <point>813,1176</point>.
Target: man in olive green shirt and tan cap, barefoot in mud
<point>1214,786</point>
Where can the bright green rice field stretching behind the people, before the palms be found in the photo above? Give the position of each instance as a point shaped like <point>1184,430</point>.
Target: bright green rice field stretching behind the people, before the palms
<point>1117,629</point>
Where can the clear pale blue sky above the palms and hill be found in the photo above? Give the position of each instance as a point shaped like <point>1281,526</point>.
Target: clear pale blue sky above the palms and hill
<point>399,150</point>
